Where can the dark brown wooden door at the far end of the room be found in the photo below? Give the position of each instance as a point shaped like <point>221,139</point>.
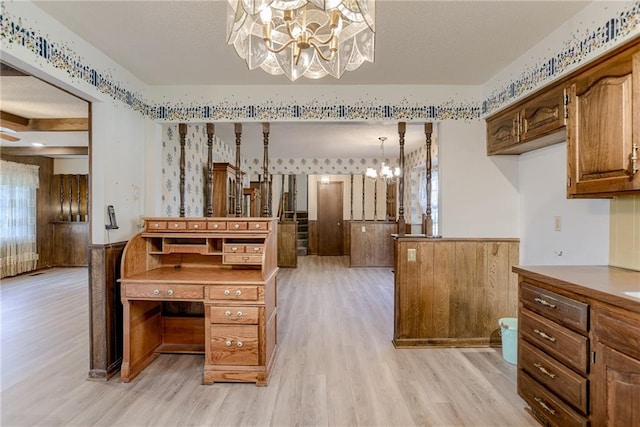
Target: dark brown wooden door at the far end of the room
<point>330,223</point>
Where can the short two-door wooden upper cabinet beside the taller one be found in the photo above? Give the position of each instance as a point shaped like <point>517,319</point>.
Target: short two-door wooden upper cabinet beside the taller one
<point>534,123</point>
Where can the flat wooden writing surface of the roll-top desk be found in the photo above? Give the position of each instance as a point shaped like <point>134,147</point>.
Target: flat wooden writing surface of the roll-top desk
<point>199,275</point>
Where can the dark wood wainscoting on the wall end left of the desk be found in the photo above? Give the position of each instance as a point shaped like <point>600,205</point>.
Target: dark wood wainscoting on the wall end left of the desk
<point>105,310</point>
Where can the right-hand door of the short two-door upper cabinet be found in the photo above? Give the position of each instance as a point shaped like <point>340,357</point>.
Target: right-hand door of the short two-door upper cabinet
<point>542,116</point>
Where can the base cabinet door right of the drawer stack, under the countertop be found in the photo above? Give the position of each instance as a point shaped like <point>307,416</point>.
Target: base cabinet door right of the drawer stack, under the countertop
<point>616,389</point>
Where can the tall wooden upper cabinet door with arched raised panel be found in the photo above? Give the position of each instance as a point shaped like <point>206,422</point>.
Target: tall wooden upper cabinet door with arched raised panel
<point>603,129</point>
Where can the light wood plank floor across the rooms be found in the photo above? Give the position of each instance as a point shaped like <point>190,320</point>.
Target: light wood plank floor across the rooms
<point>335,365</point>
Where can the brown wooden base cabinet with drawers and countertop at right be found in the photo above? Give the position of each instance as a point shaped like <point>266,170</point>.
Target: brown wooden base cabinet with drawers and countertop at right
<point>579,344</point>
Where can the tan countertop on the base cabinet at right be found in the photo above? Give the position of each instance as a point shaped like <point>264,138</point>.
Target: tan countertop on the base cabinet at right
<point>613,285</point>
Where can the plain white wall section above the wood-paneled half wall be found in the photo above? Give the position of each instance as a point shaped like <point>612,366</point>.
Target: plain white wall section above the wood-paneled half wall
<point>479,194</point>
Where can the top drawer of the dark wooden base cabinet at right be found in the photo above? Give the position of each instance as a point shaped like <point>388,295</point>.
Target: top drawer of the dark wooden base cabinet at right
<point>568,312</point>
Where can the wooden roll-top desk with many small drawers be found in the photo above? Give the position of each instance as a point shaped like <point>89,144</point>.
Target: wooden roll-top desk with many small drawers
<point>204,286</point>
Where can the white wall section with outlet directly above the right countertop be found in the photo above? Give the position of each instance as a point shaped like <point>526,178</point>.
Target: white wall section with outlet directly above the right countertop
<point>584,223</point>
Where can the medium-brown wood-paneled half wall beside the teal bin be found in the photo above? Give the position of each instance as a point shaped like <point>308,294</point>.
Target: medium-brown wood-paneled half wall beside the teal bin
<point>452,292</point>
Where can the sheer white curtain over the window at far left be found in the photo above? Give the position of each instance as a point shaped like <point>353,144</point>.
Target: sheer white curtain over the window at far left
<point>18,185</point>
